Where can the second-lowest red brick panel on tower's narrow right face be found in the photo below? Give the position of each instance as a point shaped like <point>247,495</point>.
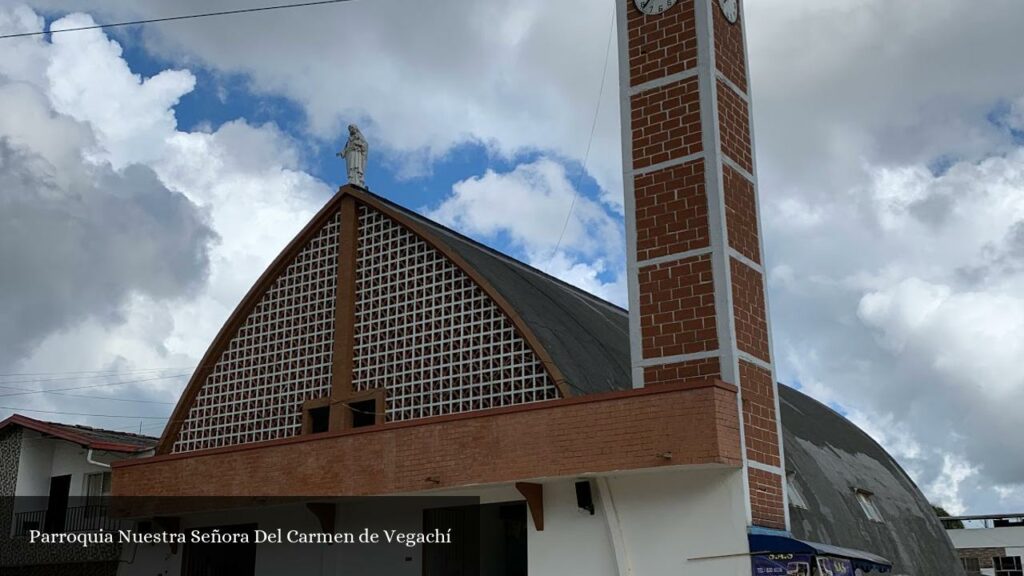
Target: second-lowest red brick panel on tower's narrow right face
<point>759,415</point>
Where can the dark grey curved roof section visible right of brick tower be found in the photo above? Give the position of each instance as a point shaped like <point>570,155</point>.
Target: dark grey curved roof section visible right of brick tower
<point>830,460</point>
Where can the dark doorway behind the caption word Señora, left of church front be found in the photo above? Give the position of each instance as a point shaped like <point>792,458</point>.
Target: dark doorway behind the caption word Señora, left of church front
<point>222,559</point>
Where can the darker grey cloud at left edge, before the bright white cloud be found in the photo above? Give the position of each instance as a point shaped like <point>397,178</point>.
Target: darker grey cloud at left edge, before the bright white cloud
<point>78,239</point>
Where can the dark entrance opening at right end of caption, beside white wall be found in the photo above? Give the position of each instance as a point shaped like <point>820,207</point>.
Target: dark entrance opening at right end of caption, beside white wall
<point>487,541</point>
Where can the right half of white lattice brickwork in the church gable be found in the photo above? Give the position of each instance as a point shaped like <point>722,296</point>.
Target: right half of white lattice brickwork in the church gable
<point>431,336</point>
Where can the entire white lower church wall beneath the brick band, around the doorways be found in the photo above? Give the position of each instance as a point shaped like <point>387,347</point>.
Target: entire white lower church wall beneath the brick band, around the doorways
<point>669,522</point>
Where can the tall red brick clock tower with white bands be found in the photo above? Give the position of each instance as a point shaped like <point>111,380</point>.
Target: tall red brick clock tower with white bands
<point>697,286</point>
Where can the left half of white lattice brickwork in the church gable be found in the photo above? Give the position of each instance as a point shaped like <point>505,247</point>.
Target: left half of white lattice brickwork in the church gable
<point>280,358</point>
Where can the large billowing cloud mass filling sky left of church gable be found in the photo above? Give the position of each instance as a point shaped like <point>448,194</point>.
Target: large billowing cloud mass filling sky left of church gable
<point>132,199</point>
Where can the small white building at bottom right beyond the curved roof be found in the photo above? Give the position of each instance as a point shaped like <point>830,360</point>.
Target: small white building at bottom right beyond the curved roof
<point>989,545</point>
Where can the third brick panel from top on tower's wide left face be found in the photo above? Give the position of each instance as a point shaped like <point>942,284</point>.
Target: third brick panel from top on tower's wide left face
<point>671,211</point>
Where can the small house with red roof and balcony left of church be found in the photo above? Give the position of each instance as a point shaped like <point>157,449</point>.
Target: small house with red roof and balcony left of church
<point>56,478</point>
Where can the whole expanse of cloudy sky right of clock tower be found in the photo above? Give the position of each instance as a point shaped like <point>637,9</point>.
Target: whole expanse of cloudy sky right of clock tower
<point>897,293</point>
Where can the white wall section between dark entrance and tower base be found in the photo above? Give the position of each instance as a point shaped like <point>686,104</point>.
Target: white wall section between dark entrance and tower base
<point>670,523</point>
